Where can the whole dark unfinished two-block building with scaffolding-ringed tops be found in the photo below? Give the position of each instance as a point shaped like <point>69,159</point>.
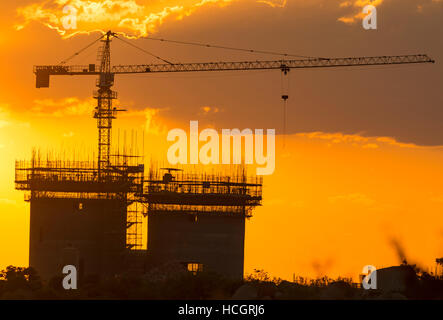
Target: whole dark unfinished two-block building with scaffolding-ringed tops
<point>196,220</point>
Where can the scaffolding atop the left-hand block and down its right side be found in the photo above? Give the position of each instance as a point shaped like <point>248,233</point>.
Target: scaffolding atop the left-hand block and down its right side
<point>80,180</point>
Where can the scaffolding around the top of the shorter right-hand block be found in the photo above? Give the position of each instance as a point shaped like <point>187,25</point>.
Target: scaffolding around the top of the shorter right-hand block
<point>174,190</point>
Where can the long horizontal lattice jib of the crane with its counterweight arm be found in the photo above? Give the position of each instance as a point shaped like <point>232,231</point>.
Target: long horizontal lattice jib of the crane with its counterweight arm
<point>44,72</point>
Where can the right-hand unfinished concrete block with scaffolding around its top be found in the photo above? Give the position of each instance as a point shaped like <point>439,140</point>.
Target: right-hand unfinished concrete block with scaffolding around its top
<point>200,219</point>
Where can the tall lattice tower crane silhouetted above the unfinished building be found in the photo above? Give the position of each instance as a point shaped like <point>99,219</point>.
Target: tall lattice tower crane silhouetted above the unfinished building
<point>105,112</point>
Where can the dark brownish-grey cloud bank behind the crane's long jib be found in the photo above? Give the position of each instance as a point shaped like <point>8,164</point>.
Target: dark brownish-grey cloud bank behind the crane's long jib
<point>404,102</point>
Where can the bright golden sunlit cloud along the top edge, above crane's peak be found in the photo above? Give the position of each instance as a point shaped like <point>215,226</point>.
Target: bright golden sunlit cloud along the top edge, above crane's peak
<point>130,17</point>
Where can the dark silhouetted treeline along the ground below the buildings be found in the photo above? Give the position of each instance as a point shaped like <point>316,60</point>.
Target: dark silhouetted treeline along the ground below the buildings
<point>24,283</point>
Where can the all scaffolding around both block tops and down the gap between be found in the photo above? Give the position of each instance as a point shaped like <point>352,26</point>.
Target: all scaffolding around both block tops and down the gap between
<point>167,190</point>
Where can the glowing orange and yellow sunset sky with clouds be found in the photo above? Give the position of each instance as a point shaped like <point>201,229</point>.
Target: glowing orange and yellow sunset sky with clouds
<point>361,167</point>
